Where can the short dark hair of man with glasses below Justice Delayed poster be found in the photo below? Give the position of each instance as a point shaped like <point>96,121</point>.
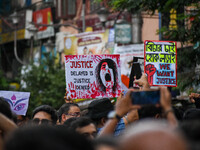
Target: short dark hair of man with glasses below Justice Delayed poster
<point>65,109</point>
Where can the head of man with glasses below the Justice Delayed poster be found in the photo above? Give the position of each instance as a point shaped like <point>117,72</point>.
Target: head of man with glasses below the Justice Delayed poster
<point>68,110</point>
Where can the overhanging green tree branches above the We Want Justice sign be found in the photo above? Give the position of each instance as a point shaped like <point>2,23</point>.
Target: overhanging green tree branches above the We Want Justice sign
<point>188,33</point>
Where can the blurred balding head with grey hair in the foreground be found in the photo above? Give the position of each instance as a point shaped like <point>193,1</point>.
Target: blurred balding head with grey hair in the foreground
<point>152,135</point>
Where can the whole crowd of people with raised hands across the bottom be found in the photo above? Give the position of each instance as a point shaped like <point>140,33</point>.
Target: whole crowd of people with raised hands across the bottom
<point>105,126</point>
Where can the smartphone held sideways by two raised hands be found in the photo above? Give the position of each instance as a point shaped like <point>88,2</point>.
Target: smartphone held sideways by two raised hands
<point>145,97</point>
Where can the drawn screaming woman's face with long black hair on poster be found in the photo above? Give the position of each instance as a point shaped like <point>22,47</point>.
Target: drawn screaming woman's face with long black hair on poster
<point>107,77</point>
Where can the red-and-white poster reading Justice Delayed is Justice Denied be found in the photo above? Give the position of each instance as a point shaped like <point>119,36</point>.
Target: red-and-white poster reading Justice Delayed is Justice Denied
<point>91,76</point>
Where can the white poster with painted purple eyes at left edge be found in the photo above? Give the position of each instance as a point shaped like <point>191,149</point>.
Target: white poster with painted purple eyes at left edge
<point>18,101</point>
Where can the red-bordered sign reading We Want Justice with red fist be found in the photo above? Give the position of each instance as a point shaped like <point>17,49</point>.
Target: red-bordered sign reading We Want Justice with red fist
<point>160,63</point>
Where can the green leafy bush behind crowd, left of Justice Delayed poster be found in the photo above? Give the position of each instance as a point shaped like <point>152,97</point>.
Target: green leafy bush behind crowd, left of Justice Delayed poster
<point>46,84</point>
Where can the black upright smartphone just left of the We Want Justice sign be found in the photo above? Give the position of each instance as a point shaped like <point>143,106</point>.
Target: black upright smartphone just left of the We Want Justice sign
<point>135,72</point>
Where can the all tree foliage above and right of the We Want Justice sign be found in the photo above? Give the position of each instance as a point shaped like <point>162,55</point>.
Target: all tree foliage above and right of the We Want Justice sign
<point>187,32</point>
